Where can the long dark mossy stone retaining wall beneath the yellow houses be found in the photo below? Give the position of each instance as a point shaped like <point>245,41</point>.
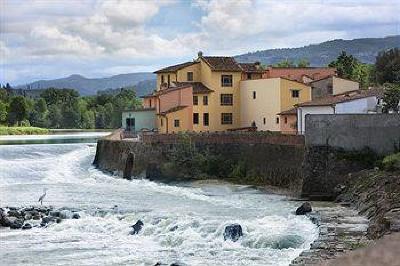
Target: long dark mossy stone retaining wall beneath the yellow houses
<point>187,158</point>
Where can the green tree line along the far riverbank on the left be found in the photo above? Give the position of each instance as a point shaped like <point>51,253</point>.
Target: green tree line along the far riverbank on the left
<point>65,108</point>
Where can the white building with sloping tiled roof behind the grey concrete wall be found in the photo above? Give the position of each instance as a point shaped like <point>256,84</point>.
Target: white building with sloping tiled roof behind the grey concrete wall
<point>353,102</point>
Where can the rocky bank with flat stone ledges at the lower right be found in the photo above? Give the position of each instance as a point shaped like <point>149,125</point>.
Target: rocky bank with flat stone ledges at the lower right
<point>367,208</point>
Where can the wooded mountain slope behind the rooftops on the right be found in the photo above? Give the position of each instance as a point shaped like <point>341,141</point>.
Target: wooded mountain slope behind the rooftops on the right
<point>322,54</point>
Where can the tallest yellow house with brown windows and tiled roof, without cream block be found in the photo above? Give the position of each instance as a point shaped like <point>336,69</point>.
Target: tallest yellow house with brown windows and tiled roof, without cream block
<point>215,82</point>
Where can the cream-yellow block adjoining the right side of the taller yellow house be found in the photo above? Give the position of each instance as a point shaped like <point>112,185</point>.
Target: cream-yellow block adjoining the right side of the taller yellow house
<point>263,100</point>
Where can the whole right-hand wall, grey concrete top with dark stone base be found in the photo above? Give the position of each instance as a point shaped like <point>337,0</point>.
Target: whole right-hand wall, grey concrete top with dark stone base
<point>338,145</point>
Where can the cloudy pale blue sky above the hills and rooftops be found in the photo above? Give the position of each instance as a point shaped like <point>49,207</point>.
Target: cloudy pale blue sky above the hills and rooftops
<point>47,39</point>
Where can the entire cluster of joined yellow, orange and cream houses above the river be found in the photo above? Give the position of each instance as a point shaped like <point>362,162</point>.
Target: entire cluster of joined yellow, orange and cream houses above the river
<point>215,93</point>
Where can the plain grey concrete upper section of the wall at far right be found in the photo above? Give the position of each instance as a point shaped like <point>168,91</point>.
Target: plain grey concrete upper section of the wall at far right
<point>379,132</point>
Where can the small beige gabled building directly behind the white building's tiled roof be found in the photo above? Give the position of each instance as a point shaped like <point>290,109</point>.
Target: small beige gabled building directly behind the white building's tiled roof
<point>332,85</point>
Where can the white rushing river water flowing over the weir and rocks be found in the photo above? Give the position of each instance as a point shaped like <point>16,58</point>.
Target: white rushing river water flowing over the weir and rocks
<point>182,223</point>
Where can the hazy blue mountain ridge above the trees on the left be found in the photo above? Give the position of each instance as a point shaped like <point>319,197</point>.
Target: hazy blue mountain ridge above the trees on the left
<point>143,82</point>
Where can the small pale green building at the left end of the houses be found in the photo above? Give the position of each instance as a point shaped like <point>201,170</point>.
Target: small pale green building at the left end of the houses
<point>139,120</point>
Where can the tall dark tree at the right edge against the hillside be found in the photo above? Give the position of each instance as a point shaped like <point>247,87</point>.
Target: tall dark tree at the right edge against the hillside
<point>388,66</point>
